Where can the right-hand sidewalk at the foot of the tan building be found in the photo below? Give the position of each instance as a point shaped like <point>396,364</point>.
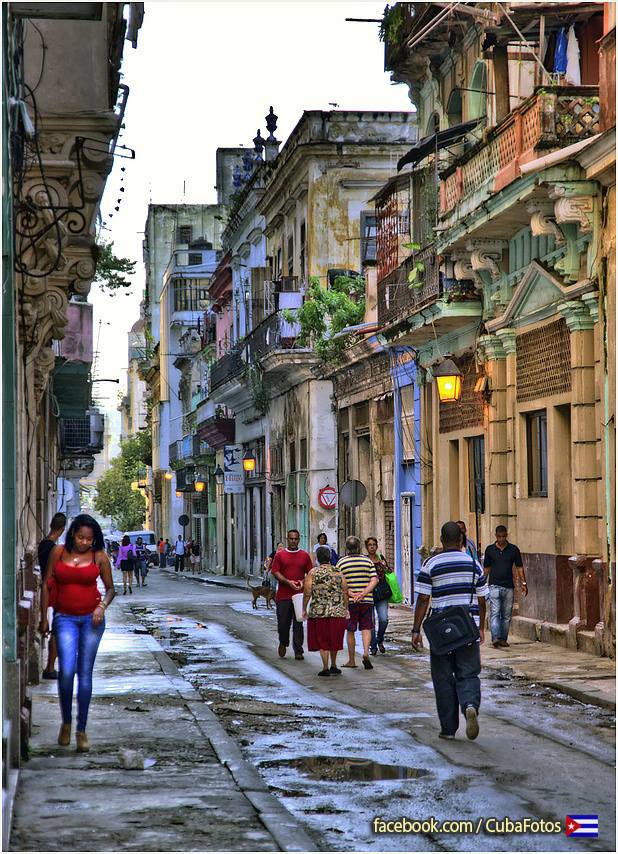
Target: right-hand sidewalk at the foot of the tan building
<point>587,678</point>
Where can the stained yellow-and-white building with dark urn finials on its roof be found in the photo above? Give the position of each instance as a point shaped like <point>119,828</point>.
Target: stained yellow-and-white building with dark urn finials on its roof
<point>309,204</point>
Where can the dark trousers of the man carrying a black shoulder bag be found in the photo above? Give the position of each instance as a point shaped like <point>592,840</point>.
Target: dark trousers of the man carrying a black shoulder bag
<point>456,684</point>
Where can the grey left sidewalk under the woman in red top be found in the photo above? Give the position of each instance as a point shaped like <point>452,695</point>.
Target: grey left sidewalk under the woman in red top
<point>200,794</point>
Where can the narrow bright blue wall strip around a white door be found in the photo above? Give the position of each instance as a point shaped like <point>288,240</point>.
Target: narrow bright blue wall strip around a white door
<point>407,473</point>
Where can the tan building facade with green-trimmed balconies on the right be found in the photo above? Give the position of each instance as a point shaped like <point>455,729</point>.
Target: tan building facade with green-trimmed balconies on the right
<point>505,277</point>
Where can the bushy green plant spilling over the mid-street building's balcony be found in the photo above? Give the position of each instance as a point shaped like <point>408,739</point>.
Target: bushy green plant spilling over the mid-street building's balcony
<point>328,311</point>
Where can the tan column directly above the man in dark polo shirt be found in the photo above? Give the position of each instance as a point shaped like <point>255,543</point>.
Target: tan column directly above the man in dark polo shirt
<point>497,442</point>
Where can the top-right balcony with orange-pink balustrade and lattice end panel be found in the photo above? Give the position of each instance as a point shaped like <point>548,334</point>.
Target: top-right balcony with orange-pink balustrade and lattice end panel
<point>550,119</point>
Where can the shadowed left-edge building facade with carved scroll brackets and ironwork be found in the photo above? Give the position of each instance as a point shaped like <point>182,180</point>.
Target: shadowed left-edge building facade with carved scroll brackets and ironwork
<point>63,106</point>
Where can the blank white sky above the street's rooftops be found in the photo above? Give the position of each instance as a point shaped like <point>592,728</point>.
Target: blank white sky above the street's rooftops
<point>203,76</point>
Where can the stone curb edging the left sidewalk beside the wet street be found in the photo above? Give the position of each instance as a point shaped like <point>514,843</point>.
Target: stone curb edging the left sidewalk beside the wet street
<point>287,832</point>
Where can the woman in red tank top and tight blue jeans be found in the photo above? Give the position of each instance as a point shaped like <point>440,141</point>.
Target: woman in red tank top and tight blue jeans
<point>79,617</point>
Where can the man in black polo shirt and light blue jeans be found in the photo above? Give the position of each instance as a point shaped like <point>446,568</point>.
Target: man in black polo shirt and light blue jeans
<point>501,558</point>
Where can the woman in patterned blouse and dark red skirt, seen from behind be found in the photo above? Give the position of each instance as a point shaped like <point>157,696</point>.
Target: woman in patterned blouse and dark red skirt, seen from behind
<point>327,617</point>
